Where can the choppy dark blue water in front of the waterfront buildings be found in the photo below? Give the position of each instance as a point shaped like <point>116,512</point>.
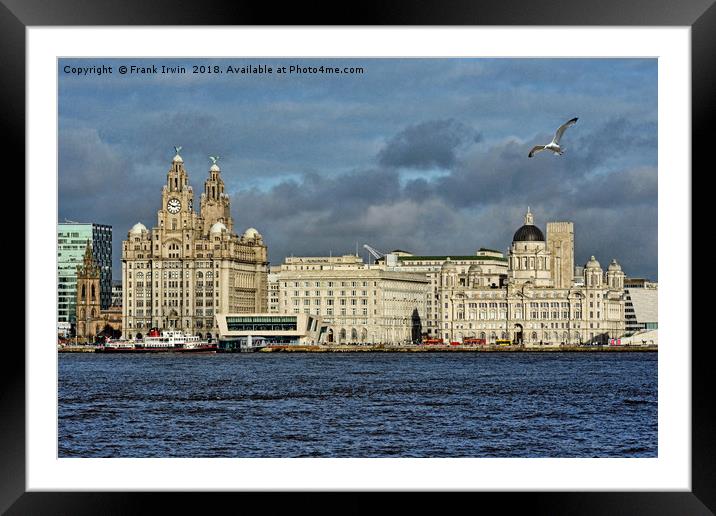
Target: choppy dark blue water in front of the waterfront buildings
<point>359,405</point>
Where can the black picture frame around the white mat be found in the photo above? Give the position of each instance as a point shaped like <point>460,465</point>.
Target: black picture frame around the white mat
<point>17,15</point>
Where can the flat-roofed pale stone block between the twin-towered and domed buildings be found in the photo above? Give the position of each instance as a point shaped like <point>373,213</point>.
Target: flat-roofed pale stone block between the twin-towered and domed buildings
<point>358,303</point>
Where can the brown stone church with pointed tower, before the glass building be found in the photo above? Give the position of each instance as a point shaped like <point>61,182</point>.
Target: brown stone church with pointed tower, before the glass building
<point>91,319</point>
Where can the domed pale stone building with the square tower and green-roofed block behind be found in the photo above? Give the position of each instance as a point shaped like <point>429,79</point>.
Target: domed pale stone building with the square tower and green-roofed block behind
<point>534,296</point>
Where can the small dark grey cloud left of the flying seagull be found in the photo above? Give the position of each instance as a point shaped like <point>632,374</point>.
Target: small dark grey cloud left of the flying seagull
<point>427,145</point>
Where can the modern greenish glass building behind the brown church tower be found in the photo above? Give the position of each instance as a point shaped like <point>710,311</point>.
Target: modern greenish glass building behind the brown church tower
<point>72,238</point>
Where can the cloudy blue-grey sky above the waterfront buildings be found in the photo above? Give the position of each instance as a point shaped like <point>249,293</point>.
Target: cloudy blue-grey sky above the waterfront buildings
<point>424,155</point>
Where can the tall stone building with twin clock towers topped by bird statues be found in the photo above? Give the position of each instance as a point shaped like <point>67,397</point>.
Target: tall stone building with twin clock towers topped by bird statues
<point>190,266</point>
